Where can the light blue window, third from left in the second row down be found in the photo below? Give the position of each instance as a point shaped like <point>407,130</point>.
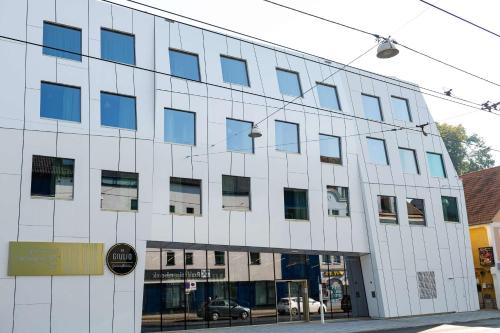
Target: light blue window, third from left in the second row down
<point>180,127</point>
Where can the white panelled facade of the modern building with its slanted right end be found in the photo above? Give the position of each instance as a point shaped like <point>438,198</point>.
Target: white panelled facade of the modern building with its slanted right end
<point>119,126</point>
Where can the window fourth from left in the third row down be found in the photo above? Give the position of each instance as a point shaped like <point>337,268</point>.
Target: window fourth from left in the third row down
<point>235,193</point>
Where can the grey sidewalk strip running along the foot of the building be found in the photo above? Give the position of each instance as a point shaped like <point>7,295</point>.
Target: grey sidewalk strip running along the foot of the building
<point>359,325</point>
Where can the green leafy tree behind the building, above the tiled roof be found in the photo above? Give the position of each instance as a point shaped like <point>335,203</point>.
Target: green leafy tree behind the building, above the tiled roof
<point>467,153</point>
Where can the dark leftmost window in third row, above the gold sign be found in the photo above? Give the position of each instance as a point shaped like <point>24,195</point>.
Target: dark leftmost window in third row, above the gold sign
<point>52,177</point>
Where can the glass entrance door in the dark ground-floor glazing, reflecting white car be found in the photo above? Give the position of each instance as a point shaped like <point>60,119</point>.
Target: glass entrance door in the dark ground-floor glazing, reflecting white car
<point>292,300</point>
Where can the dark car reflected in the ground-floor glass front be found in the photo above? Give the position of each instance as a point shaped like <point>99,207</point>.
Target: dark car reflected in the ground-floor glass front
<point>222,308</point>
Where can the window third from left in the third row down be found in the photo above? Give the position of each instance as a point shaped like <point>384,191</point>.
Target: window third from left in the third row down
<point>185,196</point>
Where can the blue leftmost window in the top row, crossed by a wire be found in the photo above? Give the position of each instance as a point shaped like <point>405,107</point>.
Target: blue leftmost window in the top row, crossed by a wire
<point>60,39</point>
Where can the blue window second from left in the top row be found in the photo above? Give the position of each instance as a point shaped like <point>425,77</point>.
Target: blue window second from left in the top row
<point>117,46</point>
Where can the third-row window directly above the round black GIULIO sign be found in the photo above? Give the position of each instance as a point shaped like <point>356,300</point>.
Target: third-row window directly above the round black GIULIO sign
<point>119,190</point>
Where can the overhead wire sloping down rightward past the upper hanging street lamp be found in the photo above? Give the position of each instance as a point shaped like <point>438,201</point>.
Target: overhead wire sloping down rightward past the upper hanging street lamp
<point>395,42</point>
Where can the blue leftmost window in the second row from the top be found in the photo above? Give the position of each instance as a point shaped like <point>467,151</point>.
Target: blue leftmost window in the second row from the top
<point>60,102</point>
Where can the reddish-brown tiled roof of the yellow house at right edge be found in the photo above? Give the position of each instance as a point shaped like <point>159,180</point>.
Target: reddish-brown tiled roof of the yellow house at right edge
<point>482,195</point>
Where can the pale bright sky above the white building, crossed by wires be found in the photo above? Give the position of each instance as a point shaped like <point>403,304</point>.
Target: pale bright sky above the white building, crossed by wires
<point>410,22</point>
